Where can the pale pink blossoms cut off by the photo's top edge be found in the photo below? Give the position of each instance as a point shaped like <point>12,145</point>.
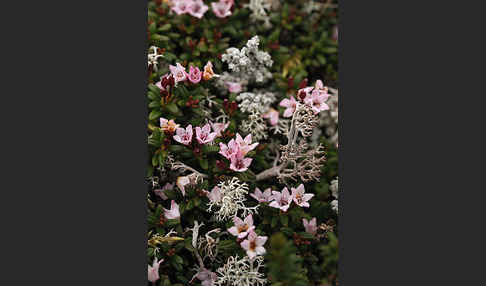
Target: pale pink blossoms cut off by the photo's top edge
<point>197,8</point>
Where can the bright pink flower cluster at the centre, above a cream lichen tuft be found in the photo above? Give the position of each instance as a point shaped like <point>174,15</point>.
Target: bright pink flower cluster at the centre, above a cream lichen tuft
<point>236,150</point>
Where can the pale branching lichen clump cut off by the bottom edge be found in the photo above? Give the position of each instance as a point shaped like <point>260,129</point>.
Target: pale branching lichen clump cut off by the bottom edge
<point>241,272</point>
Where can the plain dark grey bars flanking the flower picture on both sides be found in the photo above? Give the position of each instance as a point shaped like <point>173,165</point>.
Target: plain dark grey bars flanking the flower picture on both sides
<point>73,117</point>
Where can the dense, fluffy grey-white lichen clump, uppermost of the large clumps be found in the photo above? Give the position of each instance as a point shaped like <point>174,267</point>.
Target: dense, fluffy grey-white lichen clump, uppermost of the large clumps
<point>249,63</point>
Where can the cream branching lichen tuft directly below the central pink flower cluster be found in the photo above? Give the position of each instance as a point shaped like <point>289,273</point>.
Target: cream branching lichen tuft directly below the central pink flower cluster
<point>233,196</point>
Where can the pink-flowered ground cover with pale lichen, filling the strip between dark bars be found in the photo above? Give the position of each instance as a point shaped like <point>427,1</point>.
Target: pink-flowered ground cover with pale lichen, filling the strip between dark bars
<point>242,133</point>
